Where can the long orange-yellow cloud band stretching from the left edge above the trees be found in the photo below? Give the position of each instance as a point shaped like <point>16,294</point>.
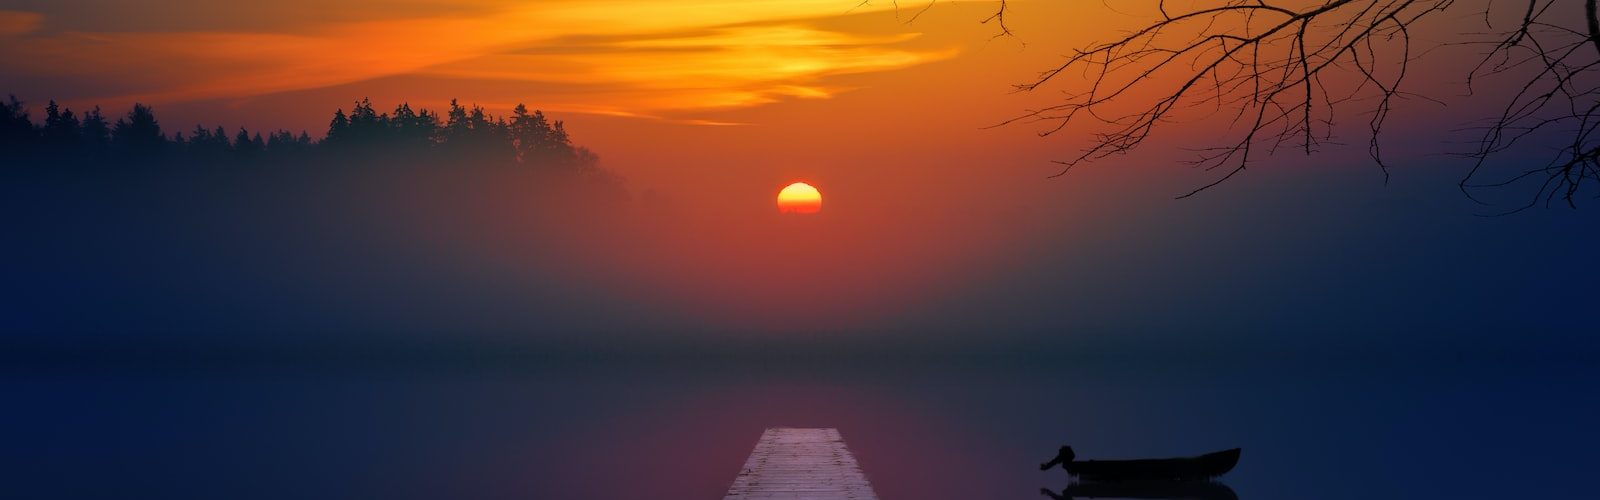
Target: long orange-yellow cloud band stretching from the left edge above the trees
<point>638,57</point>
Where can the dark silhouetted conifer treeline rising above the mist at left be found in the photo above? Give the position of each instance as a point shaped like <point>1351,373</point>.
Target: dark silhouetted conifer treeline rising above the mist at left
<point>364,137</point>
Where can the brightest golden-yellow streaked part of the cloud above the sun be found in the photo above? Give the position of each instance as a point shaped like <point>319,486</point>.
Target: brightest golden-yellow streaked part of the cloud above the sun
<point>721,68</point>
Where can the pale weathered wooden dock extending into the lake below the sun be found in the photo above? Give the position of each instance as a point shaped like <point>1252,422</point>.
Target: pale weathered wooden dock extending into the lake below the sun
<point>801,464</point>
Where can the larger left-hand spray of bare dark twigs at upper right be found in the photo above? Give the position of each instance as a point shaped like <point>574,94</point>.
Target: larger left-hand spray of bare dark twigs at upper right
<point>1278,65</point>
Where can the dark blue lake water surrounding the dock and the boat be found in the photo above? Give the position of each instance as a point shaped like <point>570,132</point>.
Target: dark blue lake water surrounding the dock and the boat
<point>1329,430</point>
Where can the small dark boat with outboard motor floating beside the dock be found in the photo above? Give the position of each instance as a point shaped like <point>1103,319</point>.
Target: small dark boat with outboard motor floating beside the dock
<point>1191,469</point>
